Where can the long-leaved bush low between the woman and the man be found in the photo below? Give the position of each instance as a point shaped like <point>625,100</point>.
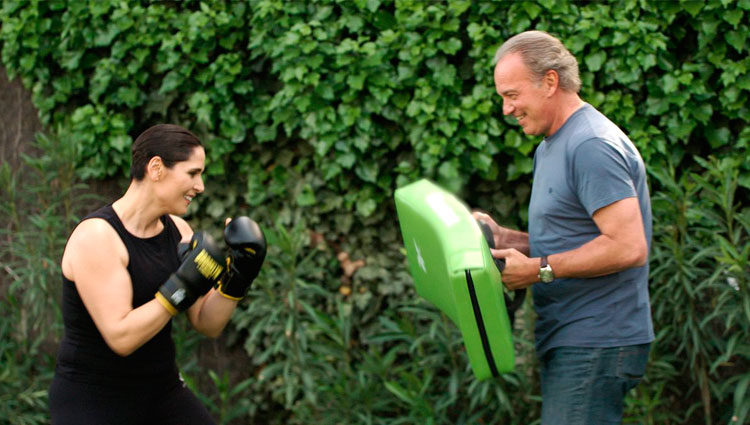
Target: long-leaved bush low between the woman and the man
<point>317,353</point>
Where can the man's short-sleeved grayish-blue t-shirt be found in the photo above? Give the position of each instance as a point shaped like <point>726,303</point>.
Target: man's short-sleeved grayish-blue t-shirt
<point>587,164</point>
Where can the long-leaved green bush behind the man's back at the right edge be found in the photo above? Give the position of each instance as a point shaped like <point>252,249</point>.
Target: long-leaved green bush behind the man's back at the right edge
<point>701,294</point>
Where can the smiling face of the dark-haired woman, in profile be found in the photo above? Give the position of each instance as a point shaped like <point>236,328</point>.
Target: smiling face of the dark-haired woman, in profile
<point>183,182</point>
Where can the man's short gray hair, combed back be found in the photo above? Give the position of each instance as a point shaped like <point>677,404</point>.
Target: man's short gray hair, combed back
<point>542,52</point>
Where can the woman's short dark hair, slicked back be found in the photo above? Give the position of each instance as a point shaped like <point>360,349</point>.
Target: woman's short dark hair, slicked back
<point>169,142</point>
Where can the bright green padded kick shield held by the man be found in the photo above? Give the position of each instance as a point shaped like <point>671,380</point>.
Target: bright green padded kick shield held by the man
<point>452,268</point>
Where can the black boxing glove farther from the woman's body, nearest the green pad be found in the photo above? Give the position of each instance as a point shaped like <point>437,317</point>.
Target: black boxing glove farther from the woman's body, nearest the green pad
<point>247,250</point>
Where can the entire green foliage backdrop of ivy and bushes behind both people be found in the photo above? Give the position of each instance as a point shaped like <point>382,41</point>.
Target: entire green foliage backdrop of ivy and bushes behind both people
<point>313,113</point>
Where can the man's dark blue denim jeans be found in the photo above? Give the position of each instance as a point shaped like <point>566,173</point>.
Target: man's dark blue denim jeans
<point>584,385</point>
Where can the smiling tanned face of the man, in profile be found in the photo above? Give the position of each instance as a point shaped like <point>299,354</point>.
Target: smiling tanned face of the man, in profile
<point>523,96</point>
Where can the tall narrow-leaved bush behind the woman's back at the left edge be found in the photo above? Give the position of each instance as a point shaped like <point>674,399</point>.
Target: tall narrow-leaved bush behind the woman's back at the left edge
<point>39,206</point>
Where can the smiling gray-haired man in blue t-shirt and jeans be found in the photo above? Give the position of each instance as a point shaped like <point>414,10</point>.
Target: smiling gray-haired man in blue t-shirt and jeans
<point>586,253</point>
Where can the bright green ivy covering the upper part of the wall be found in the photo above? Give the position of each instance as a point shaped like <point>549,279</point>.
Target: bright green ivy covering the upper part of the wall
<point>371,94</point>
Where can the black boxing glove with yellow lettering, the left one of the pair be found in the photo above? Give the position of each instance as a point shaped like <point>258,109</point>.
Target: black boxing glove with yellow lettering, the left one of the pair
<point>201,268</point>
